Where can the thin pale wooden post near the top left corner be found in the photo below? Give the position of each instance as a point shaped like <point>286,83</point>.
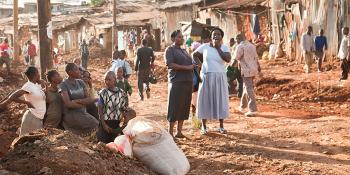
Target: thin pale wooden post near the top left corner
<point>15,31</point>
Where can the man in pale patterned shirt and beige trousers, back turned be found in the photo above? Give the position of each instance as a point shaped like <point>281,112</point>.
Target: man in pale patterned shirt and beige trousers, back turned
<point>248,61</point>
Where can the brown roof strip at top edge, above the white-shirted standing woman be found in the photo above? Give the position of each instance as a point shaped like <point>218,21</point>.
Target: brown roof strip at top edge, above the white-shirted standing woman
<point>229,4</point>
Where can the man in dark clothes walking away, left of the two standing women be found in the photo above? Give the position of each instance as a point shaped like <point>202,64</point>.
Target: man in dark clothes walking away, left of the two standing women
<point>144,63</point>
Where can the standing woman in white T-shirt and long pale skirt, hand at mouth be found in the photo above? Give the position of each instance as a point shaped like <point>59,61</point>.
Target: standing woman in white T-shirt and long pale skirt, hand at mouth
<point>213,96</point>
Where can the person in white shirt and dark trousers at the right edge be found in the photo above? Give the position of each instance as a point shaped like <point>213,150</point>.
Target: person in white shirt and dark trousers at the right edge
<point>343,54</point>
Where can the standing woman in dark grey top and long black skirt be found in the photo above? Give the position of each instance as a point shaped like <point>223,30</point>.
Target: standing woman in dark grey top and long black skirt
<point>180,83</point>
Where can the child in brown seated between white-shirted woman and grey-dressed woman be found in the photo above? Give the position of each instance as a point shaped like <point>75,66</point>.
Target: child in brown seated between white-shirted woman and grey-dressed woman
<point>54,102</point>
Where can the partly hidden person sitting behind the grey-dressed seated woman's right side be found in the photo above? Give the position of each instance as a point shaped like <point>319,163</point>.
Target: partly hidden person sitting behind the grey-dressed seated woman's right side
<point>91,108</point>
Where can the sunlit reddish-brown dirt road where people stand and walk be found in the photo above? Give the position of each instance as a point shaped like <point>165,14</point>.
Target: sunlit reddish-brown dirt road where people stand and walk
<point>302,127</point>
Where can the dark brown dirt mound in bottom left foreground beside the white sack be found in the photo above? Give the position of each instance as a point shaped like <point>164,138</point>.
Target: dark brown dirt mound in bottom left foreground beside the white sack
<point>60,152</point>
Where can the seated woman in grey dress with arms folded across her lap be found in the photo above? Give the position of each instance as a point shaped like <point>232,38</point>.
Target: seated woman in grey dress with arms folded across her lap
<point>76,98</point>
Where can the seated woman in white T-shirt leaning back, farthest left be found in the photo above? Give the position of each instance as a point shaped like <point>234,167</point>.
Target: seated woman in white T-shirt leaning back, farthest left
<point>34,98</point>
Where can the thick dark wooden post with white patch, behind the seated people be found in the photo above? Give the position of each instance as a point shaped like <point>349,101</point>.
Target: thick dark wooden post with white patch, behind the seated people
<point>45,35</point>
